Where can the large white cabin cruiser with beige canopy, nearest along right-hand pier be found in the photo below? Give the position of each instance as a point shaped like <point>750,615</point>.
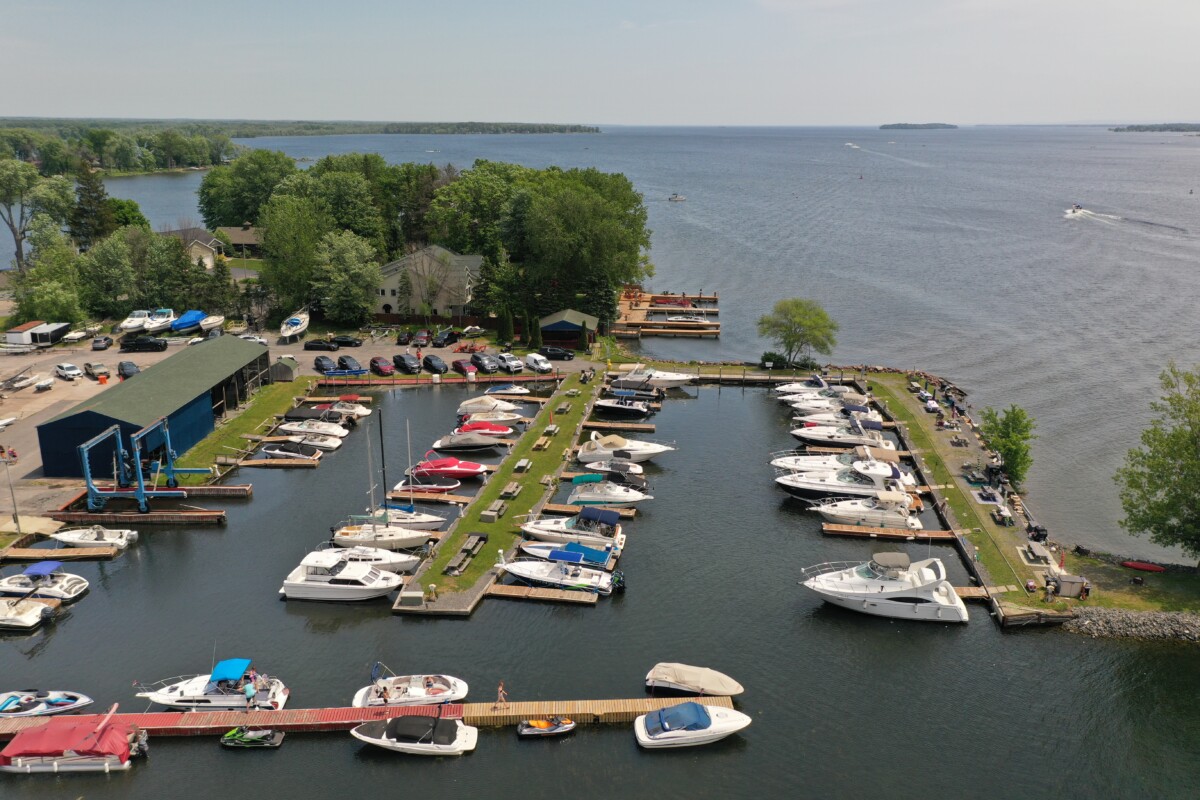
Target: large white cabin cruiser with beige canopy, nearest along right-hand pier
<point>889,586</point>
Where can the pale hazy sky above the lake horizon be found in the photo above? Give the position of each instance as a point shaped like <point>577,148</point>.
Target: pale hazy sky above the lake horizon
<point>611,62</point>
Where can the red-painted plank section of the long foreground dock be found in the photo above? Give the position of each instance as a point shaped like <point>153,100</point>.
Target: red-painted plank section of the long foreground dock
<point>215,724</point>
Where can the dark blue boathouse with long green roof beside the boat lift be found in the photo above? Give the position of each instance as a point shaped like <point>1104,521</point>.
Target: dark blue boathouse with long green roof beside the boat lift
<point>193,389</point>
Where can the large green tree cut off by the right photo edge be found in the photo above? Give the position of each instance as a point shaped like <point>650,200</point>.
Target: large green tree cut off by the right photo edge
<point>1160,483</point>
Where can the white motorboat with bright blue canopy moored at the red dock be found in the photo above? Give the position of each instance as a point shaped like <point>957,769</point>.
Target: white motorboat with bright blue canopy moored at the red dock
<point>223,690</point>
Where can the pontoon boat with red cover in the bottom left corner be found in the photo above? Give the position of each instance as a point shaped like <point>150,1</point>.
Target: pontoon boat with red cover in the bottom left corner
<point>75,745</point>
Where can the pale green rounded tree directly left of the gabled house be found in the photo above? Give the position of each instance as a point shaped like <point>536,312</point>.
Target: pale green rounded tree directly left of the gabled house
<point>347,278</point>
